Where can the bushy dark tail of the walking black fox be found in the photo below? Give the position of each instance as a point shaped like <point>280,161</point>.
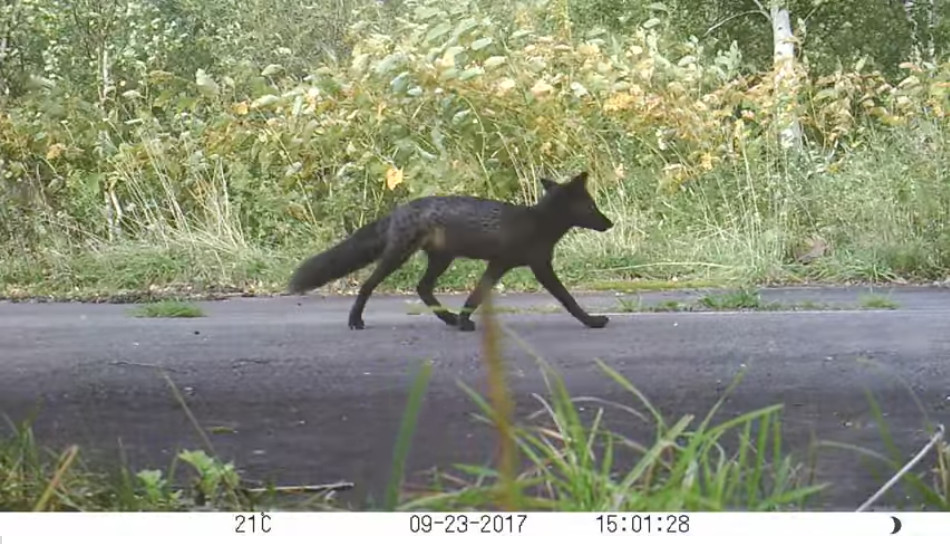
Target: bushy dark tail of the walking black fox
<point>359,250</point>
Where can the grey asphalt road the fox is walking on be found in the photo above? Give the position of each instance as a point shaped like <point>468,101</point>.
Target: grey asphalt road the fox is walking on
<point>310,401</point>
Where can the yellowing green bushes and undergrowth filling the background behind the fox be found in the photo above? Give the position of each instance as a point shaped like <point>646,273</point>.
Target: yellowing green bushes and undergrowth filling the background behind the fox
<point>200,129</point>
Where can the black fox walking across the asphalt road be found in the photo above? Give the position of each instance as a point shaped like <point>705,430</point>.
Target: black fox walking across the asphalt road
<point>448,227</point>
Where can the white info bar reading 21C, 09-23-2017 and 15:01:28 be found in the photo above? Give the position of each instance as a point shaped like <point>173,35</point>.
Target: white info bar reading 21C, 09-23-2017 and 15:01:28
<point>294,527</point>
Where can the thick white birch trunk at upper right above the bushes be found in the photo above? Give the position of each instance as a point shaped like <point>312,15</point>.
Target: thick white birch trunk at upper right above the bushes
<point>786,79</point>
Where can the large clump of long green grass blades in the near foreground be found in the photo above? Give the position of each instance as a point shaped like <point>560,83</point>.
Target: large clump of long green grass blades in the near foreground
<point>575,463</point>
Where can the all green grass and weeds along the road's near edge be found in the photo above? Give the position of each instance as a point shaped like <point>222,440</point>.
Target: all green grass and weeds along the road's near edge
<point>565,456</point>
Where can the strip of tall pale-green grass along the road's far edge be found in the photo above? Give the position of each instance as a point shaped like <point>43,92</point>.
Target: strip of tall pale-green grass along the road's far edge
<point>881,216</point>
